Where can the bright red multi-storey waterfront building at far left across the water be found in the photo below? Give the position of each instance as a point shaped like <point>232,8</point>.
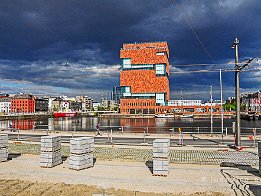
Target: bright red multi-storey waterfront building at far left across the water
<point>23,103</point>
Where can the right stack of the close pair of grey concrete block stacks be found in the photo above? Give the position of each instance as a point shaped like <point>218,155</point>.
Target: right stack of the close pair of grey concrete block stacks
<point>81,153</point>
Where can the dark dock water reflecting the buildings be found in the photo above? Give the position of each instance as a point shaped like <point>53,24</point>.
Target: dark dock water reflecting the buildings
<point>153,125</point>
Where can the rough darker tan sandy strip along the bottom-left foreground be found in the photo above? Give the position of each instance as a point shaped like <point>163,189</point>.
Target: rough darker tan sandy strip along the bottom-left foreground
<point>26,188</point>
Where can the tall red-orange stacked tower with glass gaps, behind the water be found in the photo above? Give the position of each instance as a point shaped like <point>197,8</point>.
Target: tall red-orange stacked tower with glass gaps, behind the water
<point>144,78</point>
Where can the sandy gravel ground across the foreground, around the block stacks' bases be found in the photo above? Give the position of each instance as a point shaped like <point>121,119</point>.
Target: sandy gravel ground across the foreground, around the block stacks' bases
<point>23,176</point>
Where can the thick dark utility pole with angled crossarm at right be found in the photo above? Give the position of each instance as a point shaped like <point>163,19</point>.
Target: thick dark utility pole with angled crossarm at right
<point>237,92</point>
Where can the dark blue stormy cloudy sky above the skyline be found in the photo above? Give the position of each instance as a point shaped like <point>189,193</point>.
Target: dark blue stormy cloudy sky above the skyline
<point>39,37</point>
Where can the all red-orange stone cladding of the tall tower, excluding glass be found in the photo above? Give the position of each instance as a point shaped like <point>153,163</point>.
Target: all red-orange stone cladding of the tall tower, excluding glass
<point>144,81</point>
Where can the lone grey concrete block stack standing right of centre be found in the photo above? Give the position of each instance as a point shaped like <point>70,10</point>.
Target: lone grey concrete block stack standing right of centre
<point>161,152</point>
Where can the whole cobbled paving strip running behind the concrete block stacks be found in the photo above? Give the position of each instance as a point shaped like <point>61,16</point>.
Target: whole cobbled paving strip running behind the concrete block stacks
<point>191,156</point>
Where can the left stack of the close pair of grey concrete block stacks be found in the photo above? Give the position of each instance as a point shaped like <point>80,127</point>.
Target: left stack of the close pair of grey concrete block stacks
<point>50,151</point>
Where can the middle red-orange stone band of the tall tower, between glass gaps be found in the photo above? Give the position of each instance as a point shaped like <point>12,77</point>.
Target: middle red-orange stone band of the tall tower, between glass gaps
<point>144,81</point>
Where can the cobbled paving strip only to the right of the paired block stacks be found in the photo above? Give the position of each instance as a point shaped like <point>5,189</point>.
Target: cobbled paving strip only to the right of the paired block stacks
<point>179,156</point>
